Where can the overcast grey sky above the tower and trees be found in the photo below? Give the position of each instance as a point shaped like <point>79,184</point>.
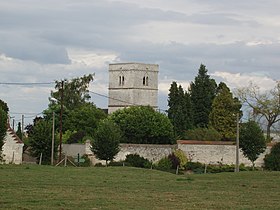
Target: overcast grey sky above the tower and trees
<point>43,41</point>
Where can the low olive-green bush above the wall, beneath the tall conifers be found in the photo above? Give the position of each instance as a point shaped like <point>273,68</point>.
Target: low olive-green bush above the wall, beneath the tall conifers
<point>203,134</point>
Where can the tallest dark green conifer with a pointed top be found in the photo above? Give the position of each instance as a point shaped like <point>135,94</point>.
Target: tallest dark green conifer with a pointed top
<point>202,93</point>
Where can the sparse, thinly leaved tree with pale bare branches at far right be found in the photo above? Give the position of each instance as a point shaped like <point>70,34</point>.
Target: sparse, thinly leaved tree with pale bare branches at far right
<point>264,104</point>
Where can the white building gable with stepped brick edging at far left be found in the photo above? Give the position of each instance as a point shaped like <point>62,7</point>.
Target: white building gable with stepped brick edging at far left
<point>12,149</point>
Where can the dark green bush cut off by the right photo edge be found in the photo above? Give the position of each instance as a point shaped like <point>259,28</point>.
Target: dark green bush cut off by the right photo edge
<point>272,160</point>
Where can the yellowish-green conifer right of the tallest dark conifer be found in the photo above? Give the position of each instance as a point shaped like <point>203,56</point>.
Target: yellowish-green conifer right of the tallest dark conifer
<point>223,116</point>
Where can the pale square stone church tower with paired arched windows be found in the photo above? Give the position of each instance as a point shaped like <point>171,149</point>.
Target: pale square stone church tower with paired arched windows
<point>132,84</point>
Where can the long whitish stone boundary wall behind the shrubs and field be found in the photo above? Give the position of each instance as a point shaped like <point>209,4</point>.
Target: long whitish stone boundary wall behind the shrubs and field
<point>207,152</point>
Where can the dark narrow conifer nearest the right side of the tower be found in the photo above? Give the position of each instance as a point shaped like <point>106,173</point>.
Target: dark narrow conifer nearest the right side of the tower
<point>179,111</point>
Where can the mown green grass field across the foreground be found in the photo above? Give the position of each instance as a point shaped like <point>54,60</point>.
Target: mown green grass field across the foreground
<point>46,187</point>
